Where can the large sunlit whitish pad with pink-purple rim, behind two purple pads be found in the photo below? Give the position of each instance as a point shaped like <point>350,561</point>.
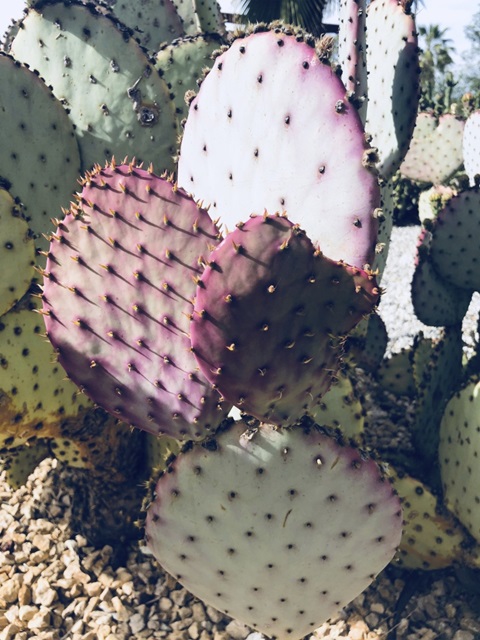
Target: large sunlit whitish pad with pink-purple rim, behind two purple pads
<point>271,129</point>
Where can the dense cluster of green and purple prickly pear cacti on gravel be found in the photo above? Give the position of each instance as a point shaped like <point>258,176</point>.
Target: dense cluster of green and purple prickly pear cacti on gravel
<point>233,259</point>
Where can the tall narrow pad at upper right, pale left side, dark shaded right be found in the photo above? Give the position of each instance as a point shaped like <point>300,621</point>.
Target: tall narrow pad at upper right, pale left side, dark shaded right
<point>393,81</point>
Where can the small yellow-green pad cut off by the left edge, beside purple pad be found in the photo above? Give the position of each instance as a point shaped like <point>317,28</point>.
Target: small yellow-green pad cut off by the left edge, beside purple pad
<point>17,253</point>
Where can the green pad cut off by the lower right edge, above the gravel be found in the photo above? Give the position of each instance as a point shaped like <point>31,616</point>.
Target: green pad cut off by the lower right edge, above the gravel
<point>459,454</point>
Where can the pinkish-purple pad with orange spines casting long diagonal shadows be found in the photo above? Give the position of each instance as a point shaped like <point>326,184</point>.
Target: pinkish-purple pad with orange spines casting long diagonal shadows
<point>119,281</point>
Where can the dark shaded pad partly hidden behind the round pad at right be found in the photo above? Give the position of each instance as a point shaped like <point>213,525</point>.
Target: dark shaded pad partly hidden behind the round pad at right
<point>436,301</point>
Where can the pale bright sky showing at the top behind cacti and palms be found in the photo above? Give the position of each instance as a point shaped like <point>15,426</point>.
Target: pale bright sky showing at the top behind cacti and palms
<point>454,14</point>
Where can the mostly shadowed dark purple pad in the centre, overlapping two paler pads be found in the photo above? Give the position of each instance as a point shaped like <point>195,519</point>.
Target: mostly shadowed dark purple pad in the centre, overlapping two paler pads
<point>268,315</point>
